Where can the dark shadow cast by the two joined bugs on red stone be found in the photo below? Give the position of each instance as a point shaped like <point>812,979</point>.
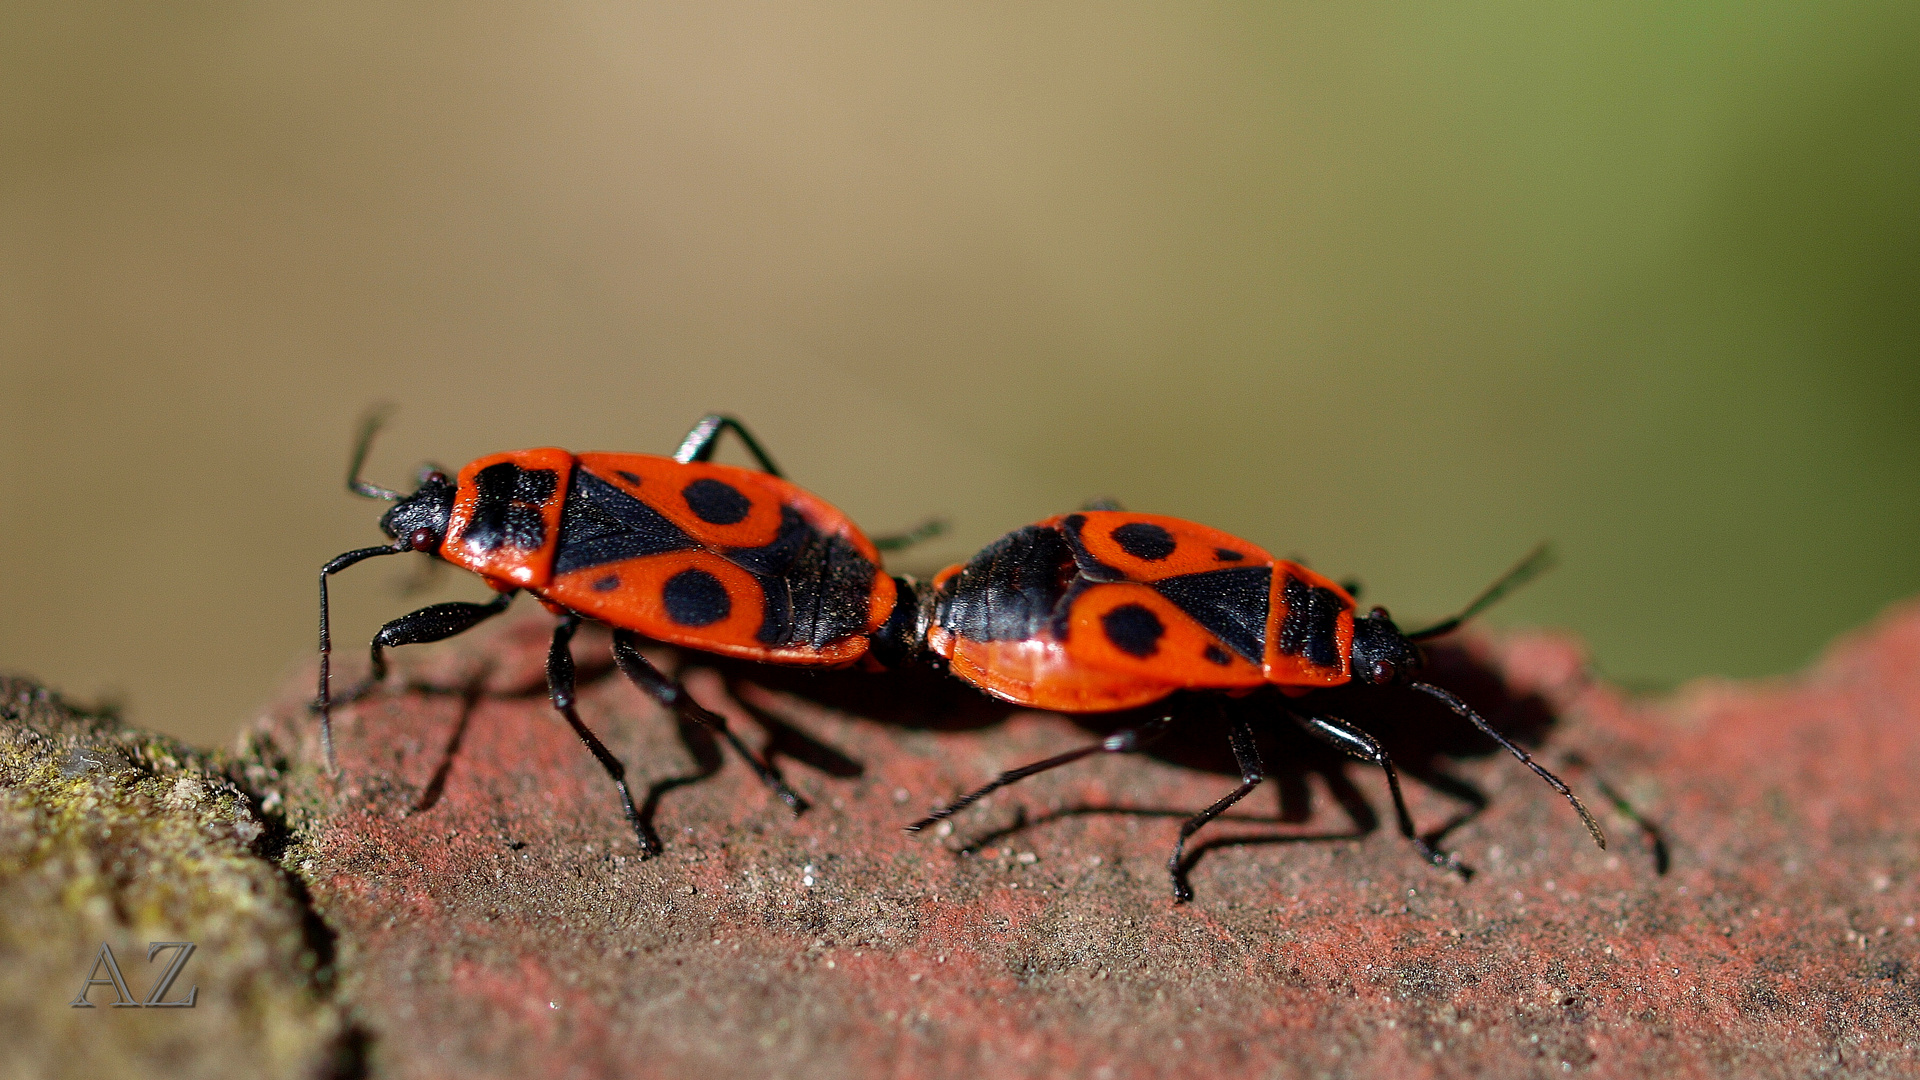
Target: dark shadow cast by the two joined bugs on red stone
<point>1420,735</point>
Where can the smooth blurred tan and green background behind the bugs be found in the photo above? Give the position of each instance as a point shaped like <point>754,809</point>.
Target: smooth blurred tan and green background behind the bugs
<point>1401,289</point>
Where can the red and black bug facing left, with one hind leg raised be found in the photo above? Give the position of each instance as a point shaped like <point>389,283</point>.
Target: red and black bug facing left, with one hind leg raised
<point>669,549</point>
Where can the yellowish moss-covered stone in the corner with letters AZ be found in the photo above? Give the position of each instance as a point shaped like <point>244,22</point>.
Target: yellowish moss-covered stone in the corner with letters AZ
<point>112,837</point>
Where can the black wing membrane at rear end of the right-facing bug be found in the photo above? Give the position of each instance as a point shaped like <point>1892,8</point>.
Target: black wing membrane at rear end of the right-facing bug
<point>1013,589</point>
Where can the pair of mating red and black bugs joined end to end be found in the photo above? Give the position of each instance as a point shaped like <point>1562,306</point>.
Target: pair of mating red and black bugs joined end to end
<point>1082,614</point>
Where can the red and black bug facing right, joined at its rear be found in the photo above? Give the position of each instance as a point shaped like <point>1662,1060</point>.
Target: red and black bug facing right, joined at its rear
<point>1105,610</point>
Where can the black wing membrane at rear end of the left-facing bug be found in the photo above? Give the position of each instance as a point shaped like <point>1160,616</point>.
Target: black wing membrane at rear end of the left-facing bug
<point>819,587</point>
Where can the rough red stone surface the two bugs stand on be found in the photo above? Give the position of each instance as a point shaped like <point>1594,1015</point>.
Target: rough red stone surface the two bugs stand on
<point>510,927</point>
